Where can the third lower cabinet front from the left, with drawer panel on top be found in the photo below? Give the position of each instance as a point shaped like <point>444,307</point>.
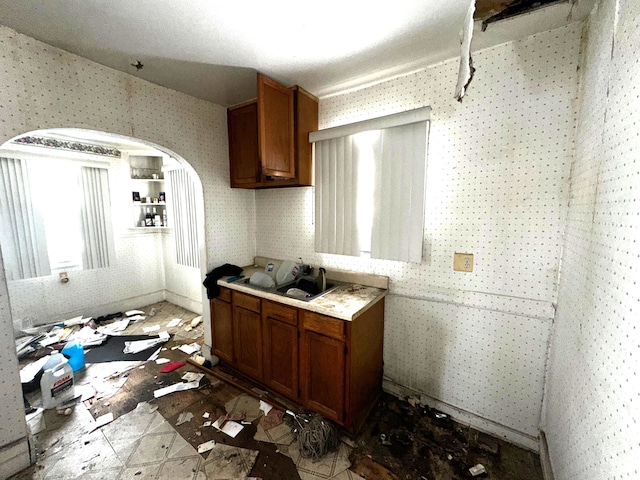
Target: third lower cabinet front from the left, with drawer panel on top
<point>280,330</point>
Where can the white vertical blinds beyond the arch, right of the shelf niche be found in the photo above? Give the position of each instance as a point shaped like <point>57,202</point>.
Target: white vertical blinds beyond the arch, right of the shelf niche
<point>183,202</point>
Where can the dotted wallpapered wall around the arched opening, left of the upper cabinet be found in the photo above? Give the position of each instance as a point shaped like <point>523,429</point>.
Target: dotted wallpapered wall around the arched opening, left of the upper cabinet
<point>44,87</point>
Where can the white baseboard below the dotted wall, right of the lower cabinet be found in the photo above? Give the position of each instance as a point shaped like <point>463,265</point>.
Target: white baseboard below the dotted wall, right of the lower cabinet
<point>462,416</point>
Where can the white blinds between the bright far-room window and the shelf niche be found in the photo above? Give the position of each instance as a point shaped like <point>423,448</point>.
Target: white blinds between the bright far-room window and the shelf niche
<point>96,222</point>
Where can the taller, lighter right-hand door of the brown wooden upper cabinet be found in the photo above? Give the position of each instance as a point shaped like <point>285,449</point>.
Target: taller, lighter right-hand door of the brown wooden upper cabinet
<point>276,128</point>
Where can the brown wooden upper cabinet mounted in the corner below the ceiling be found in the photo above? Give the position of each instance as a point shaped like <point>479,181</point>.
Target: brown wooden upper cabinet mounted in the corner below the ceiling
<point>269,137</point>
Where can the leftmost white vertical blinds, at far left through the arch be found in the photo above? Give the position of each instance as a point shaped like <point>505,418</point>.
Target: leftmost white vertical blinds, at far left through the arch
<point>22,232</point>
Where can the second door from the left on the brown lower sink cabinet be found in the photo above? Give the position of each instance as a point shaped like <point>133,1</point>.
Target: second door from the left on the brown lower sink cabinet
<point>247,336</point>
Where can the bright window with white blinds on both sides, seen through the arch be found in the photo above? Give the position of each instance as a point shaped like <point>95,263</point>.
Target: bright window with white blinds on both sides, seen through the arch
<point>55,215</point>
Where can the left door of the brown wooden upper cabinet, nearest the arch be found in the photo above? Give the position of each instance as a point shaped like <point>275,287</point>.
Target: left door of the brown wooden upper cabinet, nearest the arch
<point>244,162</point>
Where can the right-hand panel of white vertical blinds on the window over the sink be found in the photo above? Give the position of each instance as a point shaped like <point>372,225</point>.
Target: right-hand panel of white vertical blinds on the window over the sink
<point>399,194</point>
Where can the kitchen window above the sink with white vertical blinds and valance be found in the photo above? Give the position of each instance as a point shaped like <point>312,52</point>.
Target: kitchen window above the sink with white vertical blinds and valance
<point>370,187</point>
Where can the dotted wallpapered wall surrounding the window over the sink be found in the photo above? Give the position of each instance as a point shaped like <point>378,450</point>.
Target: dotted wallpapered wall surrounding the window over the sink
<point>497,186</point>
